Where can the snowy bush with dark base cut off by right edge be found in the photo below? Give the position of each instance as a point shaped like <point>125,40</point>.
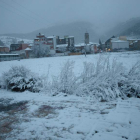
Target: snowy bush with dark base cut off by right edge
<point>131,84</point>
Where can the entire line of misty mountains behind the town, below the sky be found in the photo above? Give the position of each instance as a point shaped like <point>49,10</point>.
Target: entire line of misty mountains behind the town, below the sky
<point>77,29</point>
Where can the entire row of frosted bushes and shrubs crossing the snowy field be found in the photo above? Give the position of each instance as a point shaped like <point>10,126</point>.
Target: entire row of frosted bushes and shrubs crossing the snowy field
<point>103,80</point>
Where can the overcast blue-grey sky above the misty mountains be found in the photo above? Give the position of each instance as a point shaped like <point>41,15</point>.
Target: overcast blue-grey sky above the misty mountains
<point>23,16</point>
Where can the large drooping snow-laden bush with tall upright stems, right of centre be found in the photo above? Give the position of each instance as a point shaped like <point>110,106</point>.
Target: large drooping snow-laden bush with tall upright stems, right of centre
<point>102,84</point>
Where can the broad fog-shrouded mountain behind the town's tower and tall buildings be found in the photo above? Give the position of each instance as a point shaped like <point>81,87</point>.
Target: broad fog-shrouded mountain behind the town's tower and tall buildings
<point>76,29</point>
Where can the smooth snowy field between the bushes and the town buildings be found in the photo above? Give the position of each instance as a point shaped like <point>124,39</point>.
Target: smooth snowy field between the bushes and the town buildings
<point>54,64</point>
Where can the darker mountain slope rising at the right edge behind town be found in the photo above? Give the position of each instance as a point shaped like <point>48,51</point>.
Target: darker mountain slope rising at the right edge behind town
<point>128,28</point>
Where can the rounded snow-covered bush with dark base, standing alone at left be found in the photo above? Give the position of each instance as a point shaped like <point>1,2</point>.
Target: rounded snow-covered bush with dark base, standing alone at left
<point>19,78</point>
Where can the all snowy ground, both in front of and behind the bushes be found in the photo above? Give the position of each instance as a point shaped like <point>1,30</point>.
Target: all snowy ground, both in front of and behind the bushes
<point>68,117</point>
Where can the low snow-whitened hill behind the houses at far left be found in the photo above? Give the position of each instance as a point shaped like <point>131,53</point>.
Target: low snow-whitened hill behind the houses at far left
<point>7,40</point>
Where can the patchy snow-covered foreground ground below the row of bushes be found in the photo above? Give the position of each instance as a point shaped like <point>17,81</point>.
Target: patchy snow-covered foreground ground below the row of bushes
<point>74,118</point>
